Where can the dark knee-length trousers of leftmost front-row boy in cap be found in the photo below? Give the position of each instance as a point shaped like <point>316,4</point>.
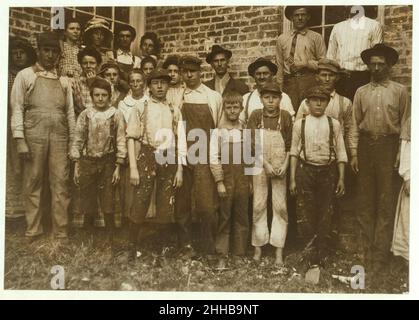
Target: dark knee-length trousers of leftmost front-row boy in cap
<point>96,183</point>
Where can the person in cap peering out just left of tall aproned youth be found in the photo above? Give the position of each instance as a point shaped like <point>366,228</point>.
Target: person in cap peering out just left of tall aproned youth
<point>176,87</point>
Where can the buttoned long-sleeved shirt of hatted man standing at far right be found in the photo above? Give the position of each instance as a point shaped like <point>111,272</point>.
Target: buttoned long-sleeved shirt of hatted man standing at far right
<point>379,109</point>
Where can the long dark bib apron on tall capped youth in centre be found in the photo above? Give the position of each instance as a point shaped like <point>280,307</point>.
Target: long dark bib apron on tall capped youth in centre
<point>199,176</point>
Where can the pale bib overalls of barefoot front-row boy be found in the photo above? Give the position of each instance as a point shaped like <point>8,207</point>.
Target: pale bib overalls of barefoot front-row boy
<point>274,152</point>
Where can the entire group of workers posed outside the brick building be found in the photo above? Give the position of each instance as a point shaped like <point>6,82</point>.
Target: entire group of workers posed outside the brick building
<point>85,122</point>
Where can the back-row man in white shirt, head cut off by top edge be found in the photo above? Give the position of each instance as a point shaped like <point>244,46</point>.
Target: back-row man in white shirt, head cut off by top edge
<point>347,40</point>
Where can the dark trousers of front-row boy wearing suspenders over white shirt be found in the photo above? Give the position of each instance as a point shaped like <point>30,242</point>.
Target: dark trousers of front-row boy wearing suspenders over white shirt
<point>316,191</point>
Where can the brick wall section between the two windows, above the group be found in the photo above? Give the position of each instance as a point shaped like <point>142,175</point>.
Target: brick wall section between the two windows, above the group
<point>248,31</point>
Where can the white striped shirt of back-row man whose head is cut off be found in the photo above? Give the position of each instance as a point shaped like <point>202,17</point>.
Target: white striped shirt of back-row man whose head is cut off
<point>349,38</point>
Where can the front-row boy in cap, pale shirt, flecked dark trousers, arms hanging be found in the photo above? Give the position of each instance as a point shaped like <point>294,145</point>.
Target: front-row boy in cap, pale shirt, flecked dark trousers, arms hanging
<point>153,125</point>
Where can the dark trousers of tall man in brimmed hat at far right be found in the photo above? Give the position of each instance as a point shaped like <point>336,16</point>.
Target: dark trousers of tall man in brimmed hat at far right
<point>378,184</point>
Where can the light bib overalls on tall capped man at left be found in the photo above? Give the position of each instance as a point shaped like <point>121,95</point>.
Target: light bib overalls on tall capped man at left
<point>47,135</point>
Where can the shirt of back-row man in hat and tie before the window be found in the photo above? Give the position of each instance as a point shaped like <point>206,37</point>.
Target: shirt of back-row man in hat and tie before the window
<point>309,48</point>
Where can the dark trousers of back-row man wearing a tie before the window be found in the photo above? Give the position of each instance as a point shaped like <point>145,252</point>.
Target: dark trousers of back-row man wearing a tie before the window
<point>296,85</point>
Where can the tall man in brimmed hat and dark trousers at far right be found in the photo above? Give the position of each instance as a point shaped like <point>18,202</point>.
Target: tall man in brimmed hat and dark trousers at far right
<point>379,110</point>
